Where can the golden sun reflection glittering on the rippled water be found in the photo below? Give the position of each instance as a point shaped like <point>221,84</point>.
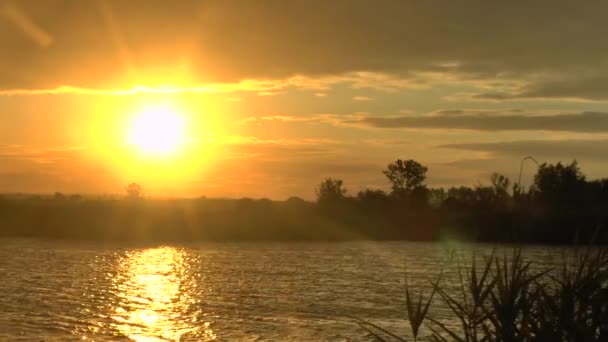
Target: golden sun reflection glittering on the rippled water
<point>156,301</point>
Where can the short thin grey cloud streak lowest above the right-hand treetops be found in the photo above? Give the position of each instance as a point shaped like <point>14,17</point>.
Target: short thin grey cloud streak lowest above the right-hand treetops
<point>552,149</point>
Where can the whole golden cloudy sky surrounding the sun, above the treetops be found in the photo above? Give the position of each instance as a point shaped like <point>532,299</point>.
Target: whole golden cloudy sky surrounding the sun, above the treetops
<point>274,96</point>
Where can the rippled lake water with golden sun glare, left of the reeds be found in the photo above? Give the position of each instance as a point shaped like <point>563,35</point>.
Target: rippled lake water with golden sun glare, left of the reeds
<point>52,290</point>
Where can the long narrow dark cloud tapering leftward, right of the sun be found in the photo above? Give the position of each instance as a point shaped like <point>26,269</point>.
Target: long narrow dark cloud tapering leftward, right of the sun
<point>591,122</point>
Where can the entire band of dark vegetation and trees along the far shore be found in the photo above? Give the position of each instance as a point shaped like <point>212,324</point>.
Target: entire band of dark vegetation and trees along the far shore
<point>559,205</point>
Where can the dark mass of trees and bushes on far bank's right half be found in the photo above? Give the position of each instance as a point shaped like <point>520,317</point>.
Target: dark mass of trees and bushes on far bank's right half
<point>560,205</point>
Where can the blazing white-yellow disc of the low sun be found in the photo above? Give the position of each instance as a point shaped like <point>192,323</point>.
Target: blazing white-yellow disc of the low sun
<point>158,131</point>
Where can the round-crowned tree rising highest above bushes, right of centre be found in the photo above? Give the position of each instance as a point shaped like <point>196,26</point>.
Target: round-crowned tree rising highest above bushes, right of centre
<point>405,175</point>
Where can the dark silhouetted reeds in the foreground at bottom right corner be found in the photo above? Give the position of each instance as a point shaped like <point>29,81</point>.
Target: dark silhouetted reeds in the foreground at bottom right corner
<point>509,299</point>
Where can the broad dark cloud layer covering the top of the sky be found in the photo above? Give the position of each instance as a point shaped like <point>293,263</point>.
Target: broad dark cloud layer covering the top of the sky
<point>94,44</point>
